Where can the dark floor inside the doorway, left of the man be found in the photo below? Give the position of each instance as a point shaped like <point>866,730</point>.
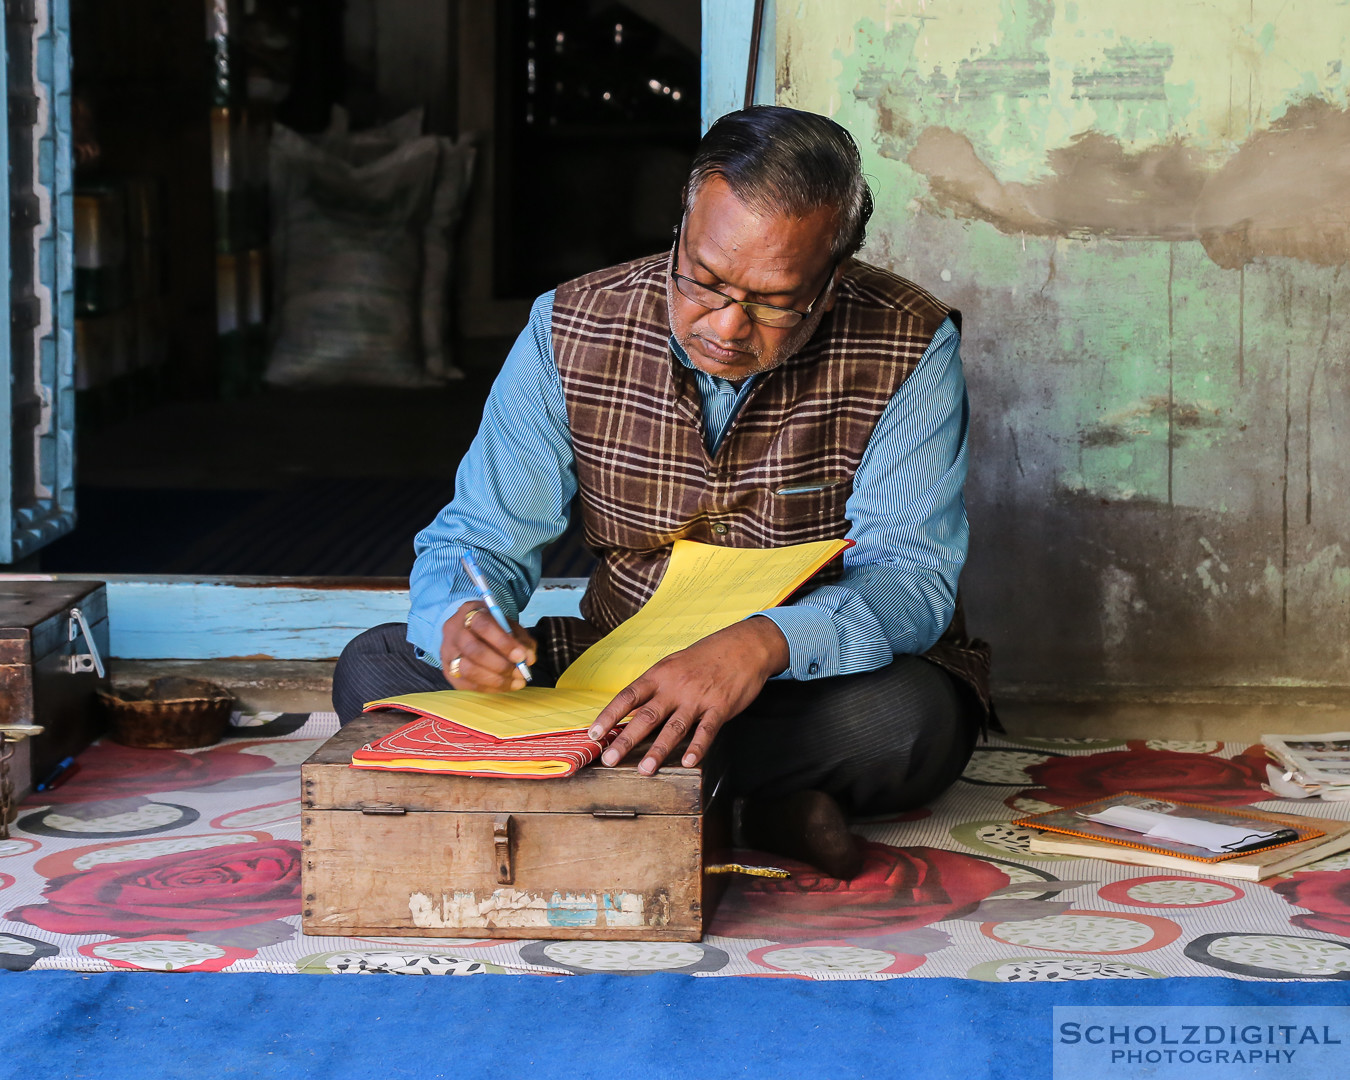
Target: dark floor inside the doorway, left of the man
<point>288,483</point>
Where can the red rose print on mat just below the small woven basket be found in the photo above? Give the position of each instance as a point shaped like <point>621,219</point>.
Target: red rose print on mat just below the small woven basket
<point>113,772</point>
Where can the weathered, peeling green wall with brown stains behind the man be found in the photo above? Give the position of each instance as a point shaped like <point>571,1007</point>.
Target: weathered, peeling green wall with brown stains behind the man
<point>1144,211</point>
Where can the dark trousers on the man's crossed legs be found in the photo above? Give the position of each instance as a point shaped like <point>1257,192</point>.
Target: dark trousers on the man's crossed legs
<point>880,743</point>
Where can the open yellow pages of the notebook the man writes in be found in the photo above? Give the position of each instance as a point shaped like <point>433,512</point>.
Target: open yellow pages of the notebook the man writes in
<point>705,589</point>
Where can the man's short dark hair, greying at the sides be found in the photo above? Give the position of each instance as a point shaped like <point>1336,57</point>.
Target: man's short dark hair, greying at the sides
<point>788,163</point>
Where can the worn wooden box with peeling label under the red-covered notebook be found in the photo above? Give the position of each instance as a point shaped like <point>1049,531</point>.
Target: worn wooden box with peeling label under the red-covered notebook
<point>605,854</point>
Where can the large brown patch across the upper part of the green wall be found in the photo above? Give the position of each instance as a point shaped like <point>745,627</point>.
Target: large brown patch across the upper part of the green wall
<point>1285,192</point>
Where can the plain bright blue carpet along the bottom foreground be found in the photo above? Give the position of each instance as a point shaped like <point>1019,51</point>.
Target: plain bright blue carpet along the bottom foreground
<point>128,1025</point>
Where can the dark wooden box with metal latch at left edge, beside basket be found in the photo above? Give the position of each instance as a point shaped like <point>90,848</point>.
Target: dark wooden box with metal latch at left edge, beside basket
<point>48,674</point>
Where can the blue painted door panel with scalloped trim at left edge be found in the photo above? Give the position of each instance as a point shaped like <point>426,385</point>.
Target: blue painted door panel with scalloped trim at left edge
<point>37,252</point>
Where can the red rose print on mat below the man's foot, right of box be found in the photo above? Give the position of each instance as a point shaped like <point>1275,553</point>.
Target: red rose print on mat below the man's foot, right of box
<point>900,889</point>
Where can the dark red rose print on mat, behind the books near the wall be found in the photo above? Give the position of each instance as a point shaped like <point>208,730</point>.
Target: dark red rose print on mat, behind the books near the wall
<point>1199,778</point>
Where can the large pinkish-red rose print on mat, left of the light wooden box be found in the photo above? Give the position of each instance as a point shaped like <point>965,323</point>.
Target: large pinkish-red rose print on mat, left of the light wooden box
<point>173,894</point>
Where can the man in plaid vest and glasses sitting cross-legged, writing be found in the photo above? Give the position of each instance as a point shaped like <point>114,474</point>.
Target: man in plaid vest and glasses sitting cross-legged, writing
<point>753,387</point>
